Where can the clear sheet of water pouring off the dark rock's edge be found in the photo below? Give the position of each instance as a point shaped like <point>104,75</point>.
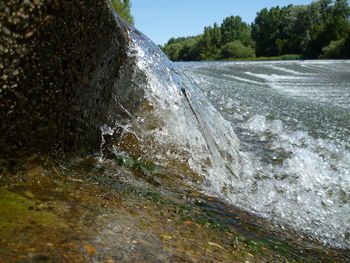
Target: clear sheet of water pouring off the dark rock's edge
<point>175,127</point>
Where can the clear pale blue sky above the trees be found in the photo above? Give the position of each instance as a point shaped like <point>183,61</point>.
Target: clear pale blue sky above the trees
<point>163,19</point>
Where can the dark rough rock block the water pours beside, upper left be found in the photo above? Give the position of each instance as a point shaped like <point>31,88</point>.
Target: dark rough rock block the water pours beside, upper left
<point>60,61</point>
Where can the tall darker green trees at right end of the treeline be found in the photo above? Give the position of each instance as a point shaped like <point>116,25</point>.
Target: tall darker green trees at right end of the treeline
<point>305,30</point>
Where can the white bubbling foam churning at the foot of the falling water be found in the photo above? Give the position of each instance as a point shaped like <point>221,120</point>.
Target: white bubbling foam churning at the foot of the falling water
<point>307,197</point>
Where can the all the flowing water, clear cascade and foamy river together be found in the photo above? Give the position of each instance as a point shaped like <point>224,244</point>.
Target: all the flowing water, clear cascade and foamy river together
<point>291,163</point>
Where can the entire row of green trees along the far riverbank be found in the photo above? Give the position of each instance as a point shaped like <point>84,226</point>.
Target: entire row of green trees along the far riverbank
<point>318,30</point>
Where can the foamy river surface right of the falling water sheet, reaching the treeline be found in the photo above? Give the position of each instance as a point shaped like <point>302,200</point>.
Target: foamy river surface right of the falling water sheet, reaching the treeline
<point>293,122</point>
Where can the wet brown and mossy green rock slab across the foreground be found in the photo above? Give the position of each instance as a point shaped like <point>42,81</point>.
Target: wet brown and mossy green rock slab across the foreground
<point>92,211</point>
